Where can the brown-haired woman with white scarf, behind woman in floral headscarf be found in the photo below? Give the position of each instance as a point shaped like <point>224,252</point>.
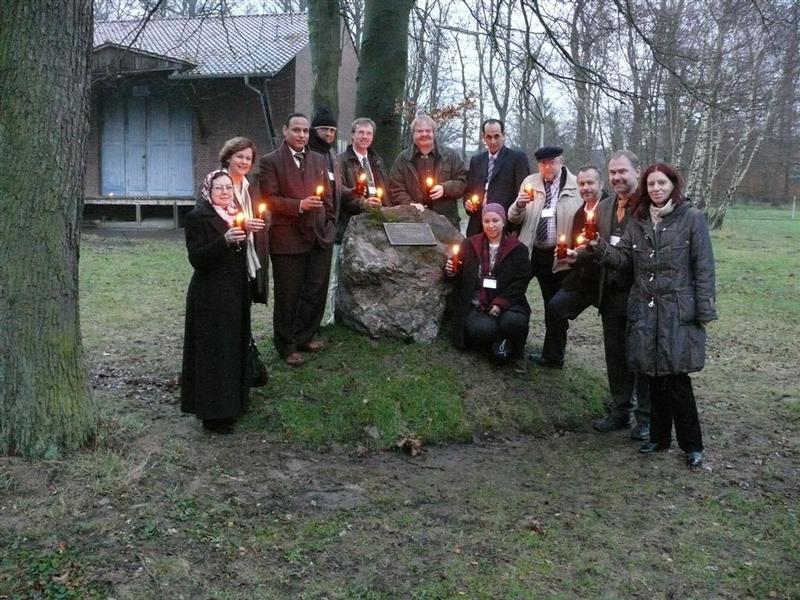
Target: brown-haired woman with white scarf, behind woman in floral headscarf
<point>237,157</point>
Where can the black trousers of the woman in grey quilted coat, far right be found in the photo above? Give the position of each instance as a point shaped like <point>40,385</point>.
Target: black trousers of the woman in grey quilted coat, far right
<point>672,401</point>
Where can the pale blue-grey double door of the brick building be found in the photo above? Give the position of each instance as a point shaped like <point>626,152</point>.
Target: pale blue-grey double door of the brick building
<point>146,147</point>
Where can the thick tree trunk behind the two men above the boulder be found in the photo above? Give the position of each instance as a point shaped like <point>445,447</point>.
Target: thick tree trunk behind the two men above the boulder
<point>382,71</point>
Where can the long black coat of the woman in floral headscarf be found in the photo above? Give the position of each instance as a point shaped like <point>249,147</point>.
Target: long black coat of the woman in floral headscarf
<point>217,332</point>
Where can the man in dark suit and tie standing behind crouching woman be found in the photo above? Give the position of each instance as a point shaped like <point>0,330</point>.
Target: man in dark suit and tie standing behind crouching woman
<point>494,175</point>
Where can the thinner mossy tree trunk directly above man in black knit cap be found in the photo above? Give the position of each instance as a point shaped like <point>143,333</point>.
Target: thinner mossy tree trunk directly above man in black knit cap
<point>324,30</point>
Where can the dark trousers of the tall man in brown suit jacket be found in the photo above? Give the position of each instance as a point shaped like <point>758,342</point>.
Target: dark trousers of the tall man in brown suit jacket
<point>301,292</point>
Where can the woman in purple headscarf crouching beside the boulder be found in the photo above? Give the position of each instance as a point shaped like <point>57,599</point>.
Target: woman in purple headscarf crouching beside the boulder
<point>491,310</point>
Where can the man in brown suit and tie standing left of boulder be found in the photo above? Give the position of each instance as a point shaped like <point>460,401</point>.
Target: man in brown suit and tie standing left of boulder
<point>294,183</point>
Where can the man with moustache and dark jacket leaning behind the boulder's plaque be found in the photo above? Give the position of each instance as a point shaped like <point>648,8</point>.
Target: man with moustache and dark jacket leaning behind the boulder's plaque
<point>427,175</point>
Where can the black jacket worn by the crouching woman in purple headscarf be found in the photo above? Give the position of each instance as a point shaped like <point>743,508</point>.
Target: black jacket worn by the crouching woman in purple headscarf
<point>513,272</point>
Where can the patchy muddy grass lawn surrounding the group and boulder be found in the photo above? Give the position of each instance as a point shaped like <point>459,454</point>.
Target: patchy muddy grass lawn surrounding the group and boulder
<point>514,498</point>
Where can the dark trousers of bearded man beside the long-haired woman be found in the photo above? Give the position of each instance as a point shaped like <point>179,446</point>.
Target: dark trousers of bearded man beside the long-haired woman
<point>621,381</point>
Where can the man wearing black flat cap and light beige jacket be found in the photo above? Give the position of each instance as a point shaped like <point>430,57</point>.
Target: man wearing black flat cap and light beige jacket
<point>544,211</point>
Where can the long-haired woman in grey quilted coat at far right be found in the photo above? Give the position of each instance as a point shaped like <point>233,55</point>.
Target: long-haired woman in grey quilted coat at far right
<point>672,299</point>
